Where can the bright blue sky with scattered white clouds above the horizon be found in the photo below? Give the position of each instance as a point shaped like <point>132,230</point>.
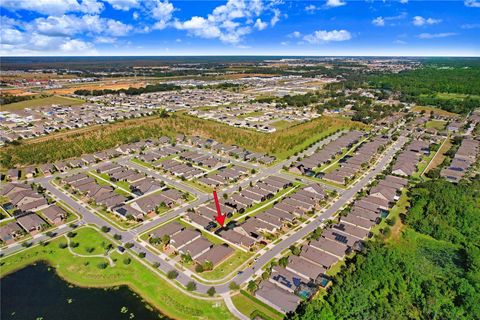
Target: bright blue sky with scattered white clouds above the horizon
<point>239,27</point>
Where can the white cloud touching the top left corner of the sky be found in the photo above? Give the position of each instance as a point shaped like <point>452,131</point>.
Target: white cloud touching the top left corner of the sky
<point>54,7</point>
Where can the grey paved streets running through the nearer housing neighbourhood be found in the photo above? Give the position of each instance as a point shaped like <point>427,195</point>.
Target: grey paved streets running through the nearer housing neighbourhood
<point>186,276</point>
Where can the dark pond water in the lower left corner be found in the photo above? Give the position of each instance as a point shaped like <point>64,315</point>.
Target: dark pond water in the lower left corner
<point>38,293</point>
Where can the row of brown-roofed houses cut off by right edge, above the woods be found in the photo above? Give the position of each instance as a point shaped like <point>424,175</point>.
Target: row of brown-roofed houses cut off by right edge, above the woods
<point>464,158</point>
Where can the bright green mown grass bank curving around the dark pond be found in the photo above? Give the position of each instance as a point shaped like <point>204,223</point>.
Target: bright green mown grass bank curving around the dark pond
<point>83,271</point>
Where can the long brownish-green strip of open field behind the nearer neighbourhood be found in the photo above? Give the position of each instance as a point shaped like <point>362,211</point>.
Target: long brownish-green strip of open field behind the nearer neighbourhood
<point>282,144</point>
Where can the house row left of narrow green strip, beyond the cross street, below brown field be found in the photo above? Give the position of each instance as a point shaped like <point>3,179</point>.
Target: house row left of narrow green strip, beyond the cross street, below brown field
<point>327,153</point>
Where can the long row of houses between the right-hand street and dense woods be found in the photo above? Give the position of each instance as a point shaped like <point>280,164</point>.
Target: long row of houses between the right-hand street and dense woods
<point>303,273</point>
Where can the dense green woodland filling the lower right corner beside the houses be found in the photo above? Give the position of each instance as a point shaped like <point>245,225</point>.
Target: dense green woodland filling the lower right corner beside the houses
<point>432,272</point>
